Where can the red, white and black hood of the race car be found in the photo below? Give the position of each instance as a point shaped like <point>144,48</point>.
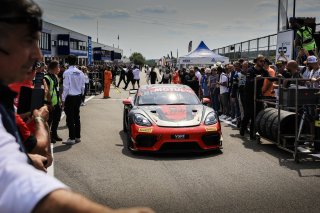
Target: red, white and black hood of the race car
<point>175,115</point>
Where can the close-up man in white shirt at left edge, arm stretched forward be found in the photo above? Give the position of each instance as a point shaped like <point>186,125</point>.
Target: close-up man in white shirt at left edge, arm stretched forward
<point>24,189</point>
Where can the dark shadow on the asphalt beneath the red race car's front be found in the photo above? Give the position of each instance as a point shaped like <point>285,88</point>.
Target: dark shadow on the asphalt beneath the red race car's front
<point>164,156</point>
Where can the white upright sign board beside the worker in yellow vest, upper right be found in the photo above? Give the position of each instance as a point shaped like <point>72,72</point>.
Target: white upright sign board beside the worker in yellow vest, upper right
<point>285,45</point>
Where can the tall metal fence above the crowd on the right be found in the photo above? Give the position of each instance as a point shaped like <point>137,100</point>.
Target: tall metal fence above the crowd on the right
<point>249,50</point>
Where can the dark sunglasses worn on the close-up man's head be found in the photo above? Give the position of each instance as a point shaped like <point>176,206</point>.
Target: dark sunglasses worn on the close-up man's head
<point>34,22</point>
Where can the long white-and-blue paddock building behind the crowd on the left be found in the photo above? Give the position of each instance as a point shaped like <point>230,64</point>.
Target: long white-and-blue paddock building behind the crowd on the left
<point>57,43</point>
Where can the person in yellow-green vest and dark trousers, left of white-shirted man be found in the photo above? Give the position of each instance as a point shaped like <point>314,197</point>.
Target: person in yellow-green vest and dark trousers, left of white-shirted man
<point>54,99</point>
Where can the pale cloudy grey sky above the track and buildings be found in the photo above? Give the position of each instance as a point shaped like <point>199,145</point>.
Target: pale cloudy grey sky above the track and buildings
<point>157,27</point>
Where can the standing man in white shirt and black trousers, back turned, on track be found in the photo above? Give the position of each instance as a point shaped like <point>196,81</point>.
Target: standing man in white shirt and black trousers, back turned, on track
<point>73,89</point>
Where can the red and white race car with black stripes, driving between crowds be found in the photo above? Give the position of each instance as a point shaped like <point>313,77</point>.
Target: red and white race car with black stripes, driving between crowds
<point>170,117</point>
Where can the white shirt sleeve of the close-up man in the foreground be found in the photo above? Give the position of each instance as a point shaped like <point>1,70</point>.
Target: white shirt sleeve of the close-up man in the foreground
<point>21,185</point>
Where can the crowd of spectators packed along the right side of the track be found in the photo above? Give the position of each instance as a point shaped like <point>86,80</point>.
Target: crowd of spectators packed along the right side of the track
<point>230,87</point>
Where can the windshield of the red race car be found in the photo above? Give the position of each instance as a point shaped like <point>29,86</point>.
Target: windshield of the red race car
<point>168,98</point>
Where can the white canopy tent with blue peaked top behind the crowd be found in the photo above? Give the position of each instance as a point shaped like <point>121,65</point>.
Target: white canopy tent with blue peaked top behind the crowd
<point>202,55</point>
